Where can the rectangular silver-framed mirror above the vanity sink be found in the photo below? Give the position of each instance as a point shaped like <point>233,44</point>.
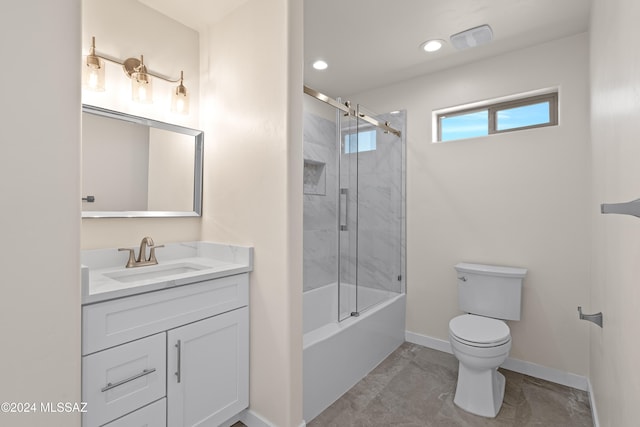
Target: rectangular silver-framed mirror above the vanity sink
<point>137,167</point>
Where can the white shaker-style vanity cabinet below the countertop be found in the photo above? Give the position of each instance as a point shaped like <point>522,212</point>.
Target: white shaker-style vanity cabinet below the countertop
<point>176,357</point>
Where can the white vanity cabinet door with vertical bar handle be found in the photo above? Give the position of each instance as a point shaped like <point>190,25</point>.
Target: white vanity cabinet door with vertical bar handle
<point>208,370</point>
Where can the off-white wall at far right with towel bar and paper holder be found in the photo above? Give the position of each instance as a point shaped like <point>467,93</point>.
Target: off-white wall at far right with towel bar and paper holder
<point>615,128</point>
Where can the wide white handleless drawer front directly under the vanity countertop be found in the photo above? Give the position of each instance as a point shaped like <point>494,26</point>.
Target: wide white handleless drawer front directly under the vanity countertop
<point>115,322</point>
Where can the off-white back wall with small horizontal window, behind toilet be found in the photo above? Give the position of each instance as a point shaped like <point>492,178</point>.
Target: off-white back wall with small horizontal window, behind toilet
<point>517,199</point>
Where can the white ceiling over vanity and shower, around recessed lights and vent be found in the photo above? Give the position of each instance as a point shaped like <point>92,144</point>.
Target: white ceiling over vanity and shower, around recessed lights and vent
<point>372,43</point>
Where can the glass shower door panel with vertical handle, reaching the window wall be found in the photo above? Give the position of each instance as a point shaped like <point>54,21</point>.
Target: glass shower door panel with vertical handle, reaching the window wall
<point>370,211</point>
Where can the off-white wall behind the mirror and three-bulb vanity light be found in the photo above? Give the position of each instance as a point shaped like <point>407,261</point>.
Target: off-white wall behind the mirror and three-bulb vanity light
<point>123,29</point>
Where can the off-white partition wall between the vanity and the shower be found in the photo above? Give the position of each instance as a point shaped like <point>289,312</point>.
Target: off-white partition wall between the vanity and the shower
<point>252,113</point>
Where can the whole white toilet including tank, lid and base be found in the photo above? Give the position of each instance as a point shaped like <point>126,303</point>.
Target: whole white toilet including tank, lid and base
<point>480,339</point>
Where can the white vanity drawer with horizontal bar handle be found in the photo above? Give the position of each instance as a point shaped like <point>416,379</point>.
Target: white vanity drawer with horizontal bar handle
<point>122,379</point>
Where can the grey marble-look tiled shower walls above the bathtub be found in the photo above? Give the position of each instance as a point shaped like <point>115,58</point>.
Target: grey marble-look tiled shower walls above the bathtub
<point>375,179</point>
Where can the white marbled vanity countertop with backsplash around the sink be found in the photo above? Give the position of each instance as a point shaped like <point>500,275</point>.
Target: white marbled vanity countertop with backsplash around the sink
<point>212,260</point>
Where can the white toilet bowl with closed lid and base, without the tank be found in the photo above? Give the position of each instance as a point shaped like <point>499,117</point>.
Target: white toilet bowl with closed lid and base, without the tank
<point>481,345</point>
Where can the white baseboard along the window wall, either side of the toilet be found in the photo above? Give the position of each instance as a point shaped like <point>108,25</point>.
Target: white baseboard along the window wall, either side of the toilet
<point>528,368</point>
